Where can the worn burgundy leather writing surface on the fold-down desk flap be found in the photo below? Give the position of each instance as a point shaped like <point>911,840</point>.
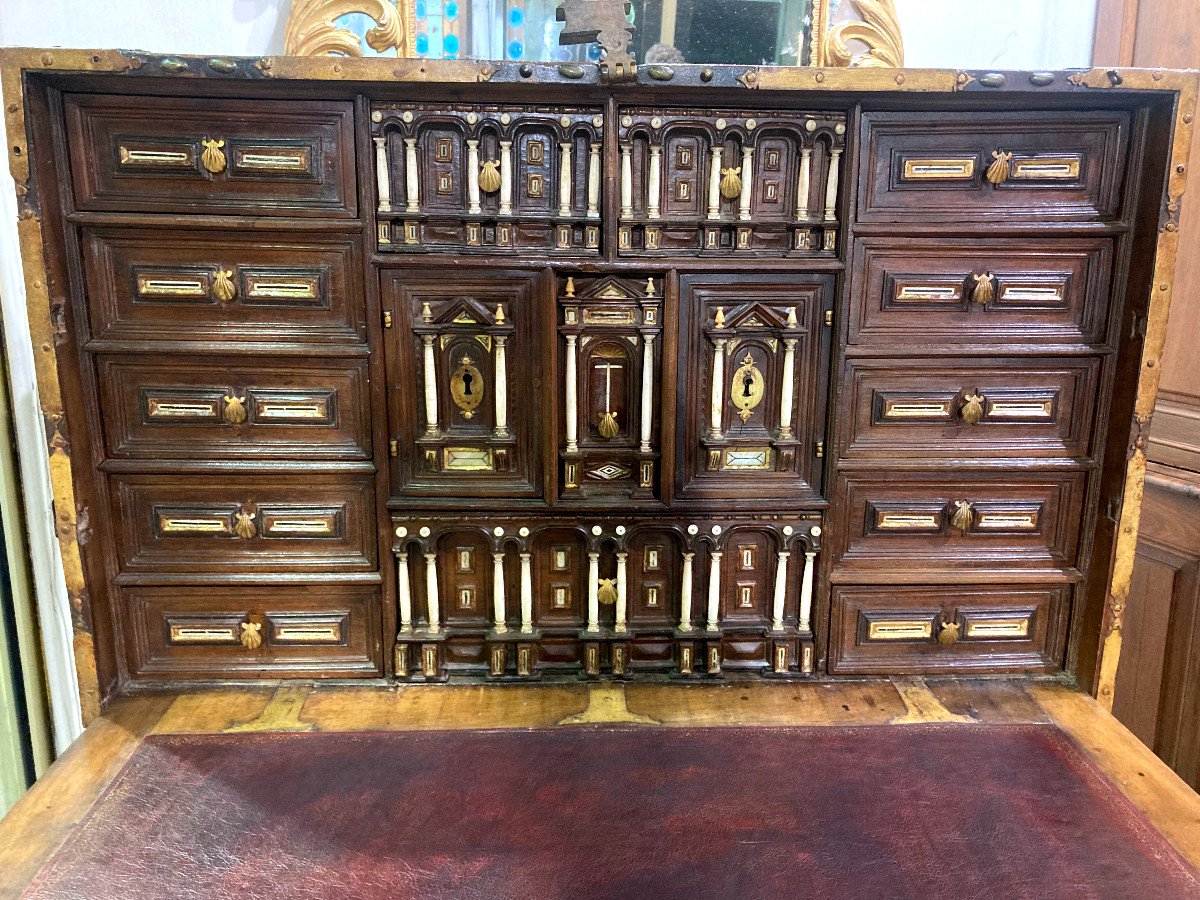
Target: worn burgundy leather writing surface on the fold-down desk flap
<point>919,812</point>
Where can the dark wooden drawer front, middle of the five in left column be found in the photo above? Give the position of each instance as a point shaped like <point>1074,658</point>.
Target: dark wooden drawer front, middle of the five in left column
<point>233,407</point>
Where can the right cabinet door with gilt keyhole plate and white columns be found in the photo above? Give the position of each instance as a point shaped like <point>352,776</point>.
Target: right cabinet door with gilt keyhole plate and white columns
<point>754,362</point>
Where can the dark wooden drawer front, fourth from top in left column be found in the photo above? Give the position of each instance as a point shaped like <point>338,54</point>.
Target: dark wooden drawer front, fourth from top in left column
<point>237,524</point>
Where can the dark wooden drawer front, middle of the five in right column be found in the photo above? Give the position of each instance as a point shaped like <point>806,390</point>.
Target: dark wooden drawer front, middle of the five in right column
<point>992,407</point>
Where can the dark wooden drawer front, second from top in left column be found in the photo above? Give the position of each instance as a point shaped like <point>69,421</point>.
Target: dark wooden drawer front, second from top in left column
<point>214,286</point>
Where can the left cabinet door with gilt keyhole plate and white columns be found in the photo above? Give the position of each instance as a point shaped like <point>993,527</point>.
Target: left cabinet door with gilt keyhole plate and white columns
<point>465,383</point>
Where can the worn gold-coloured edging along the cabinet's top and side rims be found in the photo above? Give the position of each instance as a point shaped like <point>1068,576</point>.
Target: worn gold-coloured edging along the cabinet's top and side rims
<point>15,62</point>
